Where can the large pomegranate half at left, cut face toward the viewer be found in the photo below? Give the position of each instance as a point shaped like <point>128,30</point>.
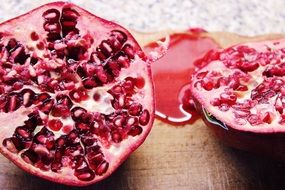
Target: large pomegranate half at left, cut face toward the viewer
<point>76,94</point>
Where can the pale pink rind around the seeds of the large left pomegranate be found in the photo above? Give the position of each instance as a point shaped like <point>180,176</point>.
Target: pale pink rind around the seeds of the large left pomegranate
<point>127,146</point>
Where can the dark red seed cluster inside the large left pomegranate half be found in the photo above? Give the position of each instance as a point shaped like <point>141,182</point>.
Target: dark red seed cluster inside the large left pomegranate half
<point>59,132</point>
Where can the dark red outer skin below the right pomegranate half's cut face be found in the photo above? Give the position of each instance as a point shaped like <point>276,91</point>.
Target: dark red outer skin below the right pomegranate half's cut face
<point>269,144</point>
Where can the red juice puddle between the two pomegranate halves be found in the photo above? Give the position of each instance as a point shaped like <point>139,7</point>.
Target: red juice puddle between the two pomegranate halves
<point>172,75</point>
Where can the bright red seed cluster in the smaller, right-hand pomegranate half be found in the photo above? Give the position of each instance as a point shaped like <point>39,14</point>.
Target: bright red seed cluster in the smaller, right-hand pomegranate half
<point>249,83</point>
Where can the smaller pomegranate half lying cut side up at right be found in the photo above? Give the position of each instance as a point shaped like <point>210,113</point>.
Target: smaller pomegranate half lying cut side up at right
<point>246,112</point>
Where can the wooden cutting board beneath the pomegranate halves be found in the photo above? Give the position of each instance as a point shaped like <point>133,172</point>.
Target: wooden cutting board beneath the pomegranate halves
<point>187,157</point>
